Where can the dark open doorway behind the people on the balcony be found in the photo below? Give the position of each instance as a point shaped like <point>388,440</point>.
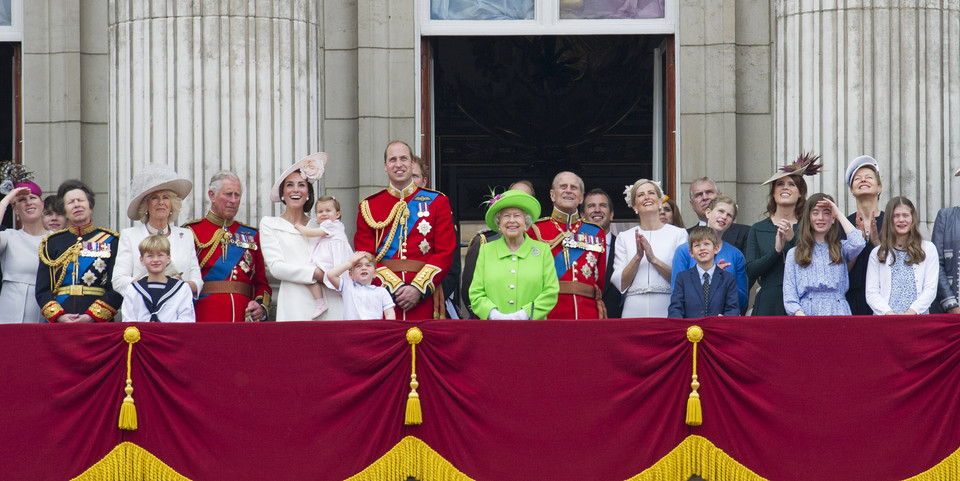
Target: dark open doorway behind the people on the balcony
<point>506,108</point>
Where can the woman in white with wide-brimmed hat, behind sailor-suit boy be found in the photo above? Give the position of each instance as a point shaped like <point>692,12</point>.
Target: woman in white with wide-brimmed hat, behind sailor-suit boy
<point>157,197</point>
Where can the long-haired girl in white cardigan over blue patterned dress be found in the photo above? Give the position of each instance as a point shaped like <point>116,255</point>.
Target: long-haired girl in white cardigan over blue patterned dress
<point>902,271</point>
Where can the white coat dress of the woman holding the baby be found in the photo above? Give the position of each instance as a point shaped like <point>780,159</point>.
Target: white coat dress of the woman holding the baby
<point>286,252</point>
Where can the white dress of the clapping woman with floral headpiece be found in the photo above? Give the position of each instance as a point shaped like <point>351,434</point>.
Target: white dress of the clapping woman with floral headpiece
<point>649,294</point>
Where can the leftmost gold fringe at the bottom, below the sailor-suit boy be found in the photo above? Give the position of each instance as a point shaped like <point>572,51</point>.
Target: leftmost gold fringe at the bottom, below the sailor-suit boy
<point>128,461</point>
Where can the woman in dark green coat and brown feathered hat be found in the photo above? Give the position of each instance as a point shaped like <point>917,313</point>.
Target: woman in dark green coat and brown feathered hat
<point>770,239</point>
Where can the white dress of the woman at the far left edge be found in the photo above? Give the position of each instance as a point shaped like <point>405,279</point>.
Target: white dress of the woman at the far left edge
<point>20,259</point>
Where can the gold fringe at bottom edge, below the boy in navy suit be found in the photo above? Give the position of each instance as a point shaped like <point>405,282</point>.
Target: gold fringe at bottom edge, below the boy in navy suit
<point>697,455</point>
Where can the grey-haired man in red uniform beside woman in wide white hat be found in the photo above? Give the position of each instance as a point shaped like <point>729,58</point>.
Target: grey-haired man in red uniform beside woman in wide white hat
<point>235,286</point>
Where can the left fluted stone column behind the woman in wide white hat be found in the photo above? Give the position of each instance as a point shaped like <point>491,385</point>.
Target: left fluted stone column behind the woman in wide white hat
<point>205,85</point>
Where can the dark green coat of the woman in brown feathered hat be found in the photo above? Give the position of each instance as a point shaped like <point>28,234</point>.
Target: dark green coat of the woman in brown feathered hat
<point>765,263</point>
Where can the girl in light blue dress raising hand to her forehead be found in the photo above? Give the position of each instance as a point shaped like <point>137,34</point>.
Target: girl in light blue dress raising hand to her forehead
<point>815,274</point>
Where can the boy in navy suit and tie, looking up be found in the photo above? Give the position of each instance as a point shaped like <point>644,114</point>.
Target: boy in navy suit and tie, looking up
<point>704,290</point>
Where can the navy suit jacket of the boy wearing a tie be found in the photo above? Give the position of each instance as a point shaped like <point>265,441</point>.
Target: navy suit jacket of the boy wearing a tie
<point>687,298</point>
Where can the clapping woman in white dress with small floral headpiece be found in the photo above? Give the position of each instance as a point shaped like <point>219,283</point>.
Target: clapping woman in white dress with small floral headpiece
<point>641,268</point>
